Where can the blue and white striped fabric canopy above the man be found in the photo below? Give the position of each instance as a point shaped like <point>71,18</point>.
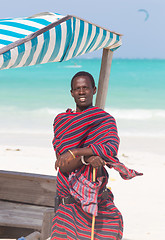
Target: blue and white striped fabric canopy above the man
<point>49,37</point>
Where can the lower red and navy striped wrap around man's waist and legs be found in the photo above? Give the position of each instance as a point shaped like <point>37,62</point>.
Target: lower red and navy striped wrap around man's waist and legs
<point>72,222</point>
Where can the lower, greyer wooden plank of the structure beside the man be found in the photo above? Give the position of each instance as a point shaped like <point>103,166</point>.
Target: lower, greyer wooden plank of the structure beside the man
<point>21,215</point>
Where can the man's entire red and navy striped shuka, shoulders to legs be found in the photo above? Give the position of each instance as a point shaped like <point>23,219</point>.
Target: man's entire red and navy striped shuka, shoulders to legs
<point>96,129</point>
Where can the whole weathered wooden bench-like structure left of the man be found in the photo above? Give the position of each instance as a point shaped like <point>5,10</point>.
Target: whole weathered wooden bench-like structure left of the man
<point>26,205</point>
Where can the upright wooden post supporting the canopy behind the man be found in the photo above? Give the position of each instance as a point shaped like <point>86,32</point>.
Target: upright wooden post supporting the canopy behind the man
<point>104,78</point>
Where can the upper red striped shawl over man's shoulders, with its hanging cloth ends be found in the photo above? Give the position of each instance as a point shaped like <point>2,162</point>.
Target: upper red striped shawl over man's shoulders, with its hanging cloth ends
<point>91,128</point>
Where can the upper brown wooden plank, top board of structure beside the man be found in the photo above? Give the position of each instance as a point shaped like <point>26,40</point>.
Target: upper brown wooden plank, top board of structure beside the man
<point>27,188</point>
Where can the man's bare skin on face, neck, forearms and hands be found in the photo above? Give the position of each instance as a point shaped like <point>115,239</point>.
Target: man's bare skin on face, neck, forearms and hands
<point>82,93</point>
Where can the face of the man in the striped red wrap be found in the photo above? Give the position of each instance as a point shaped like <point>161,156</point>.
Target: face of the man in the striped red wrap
<point>82,92</point>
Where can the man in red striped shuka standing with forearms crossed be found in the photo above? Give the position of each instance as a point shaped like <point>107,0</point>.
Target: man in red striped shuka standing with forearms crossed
<point>85,139</point>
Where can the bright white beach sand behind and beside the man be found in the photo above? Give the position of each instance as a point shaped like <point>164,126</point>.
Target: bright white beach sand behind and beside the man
<point>140,200</point>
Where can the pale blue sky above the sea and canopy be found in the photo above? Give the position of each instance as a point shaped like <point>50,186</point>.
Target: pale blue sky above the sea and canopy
<point>141,39</point>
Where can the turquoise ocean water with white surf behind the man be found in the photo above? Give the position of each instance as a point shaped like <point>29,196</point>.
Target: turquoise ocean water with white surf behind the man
<point>30,97</point>
